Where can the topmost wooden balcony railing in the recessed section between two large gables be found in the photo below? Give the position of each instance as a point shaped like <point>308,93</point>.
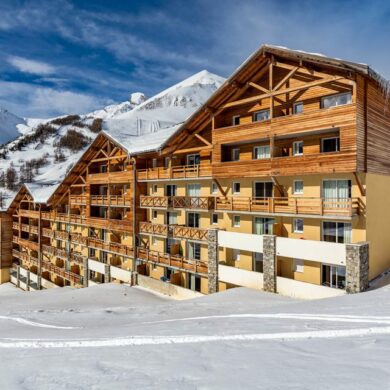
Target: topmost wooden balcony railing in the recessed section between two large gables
<point>179,172</point>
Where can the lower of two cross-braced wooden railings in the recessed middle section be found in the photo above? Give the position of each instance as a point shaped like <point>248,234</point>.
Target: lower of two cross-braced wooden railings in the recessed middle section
<point>173,231</point>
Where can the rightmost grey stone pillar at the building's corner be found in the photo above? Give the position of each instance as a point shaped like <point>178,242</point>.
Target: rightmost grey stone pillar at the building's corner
<point>357,267</point>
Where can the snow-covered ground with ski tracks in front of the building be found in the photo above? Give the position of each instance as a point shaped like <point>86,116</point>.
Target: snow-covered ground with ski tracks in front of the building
<point>118,337</point>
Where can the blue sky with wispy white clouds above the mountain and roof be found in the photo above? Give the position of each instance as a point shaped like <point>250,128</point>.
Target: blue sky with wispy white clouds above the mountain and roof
<point>65,56</point>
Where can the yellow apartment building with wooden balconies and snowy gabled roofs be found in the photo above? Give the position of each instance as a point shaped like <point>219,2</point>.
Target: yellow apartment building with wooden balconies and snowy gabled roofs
<point>293,145</point>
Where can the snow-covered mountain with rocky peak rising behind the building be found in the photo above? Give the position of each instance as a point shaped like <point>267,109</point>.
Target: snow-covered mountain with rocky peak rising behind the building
<point>39,144</point>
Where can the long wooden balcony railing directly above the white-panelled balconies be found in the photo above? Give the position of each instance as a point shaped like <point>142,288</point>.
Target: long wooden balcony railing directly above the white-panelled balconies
<point>295,206</point>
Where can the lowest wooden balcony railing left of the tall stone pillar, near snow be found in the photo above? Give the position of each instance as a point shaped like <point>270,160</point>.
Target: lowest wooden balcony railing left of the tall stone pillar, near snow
<point>166,259</point>
